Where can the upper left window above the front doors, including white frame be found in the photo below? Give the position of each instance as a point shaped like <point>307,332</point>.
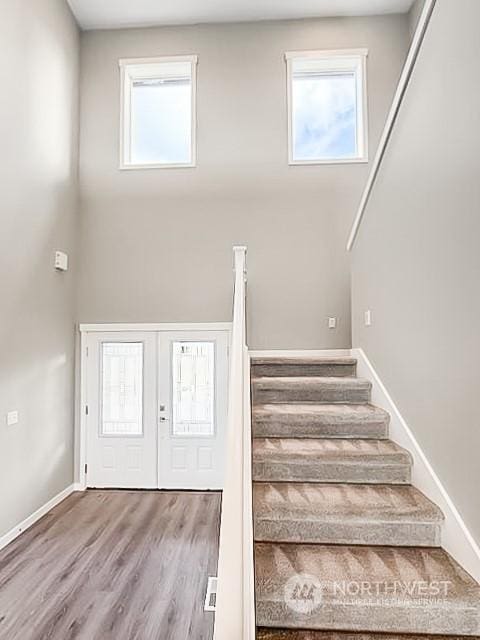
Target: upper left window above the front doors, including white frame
<point>158,125</point>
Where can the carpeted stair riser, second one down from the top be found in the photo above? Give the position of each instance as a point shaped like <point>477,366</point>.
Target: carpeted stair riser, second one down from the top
<point>319,395</point>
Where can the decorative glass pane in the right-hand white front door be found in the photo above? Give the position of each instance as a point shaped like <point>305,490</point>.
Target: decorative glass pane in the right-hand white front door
<point>193,389</point>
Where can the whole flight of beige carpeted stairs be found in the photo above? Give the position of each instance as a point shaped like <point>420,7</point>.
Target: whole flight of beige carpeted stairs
<point>345,546</point>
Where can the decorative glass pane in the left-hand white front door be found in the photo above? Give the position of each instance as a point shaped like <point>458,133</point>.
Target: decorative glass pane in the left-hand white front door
<point>122,389</point>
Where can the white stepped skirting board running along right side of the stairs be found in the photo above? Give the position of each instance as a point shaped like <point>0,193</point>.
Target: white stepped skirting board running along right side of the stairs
<point>456,538</point>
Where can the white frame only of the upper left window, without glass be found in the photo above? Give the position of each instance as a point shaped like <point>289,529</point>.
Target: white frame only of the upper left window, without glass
<point>131,69</point>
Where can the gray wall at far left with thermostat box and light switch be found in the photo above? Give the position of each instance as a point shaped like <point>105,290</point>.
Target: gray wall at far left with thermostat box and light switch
<point>38,130</point>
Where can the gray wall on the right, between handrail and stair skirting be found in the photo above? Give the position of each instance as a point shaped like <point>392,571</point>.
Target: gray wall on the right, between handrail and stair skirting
<point>416,263</point>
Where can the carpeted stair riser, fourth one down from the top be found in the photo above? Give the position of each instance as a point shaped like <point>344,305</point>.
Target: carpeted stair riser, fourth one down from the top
<point>331,472</point>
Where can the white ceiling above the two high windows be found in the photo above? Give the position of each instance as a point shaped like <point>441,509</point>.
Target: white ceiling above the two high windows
<point>114,14</point>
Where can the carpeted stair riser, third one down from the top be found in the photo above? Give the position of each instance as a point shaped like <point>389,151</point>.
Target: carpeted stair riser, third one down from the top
<point>309,429</point>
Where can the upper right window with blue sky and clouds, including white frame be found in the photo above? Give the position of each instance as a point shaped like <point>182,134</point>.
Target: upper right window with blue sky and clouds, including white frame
<point>327,106</point>
